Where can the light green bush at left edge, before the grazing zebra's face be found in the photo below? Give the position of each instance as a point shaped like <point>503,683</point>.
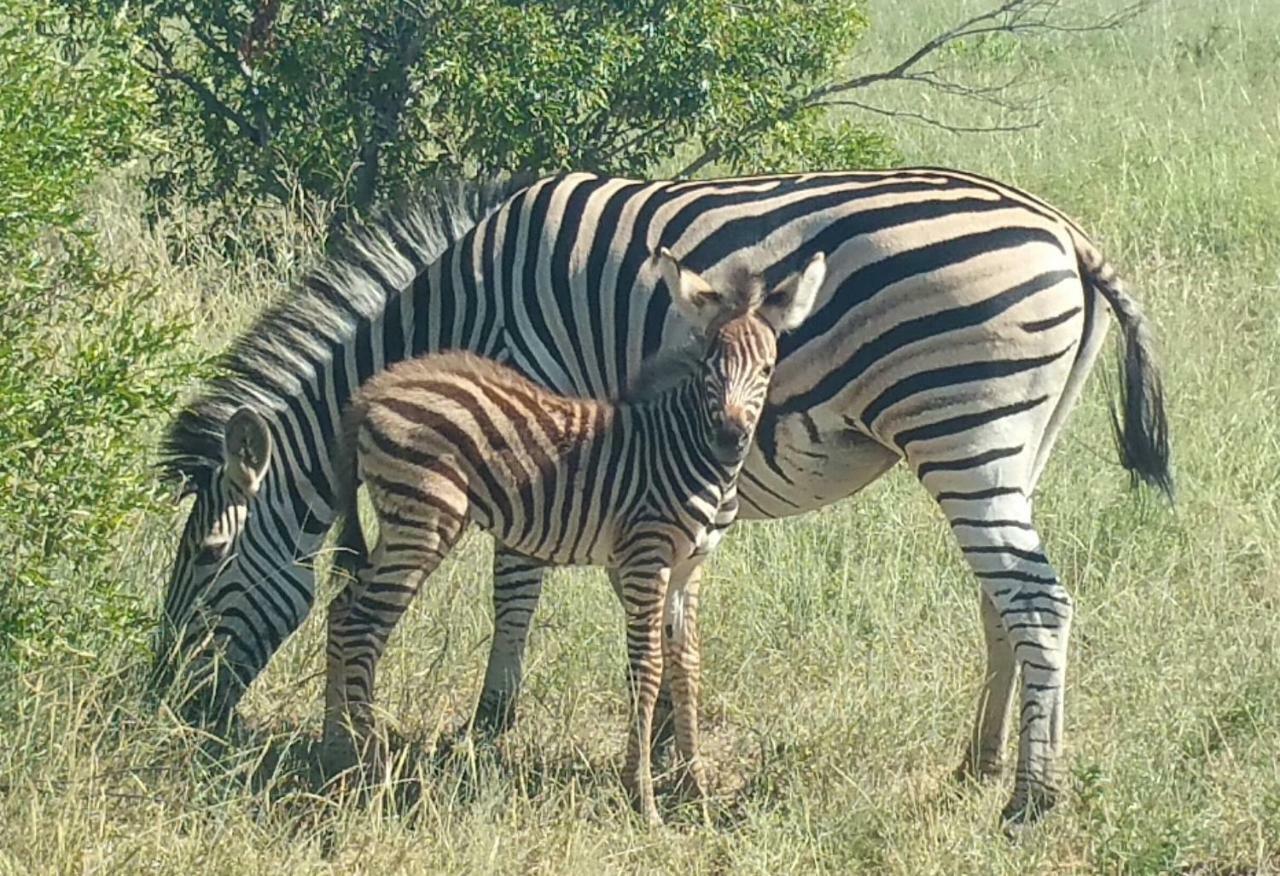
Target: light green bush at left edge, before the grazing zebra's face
<point>81,368</point>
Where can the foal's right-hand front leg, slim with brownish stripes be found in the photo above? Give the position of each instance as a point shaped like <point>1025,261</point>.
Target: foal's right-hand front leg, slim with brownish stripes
<point>682,668</point>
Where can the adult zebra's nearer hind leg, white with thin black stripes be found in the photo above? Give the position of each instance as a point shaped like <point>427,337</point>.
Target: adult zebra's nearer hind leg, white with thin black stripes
<point>1007,554</point>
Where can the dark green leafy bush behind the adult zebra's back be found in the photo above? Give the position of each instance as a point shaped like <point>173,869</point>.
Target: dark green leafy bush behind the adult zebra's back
<point>358,102</point>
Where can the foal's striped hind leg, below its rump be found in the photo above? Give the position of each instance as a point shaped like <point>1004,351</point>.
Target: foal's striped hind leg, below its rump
<point>405,558</point>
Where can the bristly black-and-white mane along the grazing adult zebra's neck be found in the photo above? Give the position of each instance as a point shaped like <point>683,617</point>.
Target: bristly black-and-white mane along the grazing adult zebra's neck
<point>269,363</point>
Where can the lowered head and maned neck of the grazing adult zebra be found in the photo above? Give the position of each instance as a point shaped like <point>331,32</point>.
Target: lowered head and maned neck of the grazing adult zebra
<point>258,480</point>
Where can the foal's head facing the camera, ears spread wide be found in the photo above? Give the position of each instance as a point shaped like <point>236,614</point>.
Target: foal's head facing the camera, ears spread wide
<point>739,326</point>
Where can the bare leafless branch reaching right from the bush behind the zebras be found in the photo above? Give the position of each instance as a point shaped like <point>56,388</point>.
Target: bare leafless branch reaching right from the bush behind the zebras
<point>1012,17</point>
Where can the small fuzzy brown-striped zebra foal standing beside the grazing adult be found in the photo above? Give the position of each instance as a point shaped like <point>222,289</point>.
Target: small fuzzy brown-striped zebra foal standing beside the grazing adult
<point>643,486</point>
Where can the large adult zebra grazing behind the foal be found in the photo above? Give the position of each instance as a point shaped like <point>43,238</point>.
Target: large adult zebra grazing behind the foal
<point>956,330</point>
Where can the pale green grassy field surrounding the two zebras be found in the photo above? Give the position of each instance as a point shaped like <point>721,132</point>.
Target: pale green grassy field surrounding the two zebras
<point>842,651</point>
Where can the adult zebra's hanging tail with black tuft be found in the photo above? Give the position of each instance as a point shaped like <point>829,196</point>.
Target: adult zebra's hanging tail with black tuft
<point>1139,423</point>
